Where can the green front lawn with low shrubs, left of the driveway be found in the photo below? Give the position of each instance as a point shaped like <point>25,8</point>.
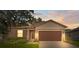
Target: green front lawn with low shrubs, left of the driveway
<point>18,43</point>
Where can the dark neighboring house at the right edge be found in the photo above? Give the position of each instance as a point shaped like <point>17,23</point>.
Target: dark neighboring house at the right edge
<point>74,34</point>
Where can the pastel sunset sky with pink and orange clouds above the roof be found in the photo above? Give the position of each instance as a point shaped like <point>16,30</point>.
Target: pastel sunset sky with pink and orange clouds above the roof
<point>69,18</point>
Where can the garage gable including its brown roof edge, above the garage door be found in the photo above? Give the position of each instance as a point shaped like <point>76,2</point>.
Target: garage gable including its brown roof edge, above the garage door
<point>49,25</point>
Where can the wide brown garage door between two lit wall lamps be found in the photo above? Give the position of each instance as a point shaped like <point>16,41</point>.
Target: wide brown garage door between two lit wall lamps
<point>50,35</point>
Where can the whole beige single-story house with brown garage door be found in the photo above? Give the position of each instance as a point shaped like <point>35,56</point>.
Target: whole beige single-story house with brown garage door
<point>43,31</point>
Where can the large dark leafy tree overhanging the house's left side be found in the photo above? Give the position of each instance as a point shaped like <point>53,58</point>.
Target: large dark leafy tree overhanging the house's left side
<point>10,18</point>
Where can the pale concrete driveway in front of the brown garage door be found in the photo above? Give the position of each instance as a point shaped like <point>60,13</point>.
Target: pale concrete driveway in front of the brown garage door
<point>55,44</point>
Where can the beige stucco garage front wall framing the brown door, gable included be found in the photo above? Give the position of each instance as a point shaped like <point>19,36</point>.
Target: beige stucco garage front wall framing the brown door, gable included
<point>50,26</point>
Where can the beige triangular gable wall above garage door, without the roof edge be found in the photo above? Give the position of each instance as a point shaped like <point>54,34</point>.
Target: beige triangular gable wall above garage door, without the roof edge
<point>49,26</point>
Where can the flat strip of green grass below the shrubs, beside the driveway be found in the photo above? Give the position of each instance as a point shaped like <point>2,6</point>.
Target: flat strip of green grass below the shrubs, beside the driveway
<point>19,46</point>
